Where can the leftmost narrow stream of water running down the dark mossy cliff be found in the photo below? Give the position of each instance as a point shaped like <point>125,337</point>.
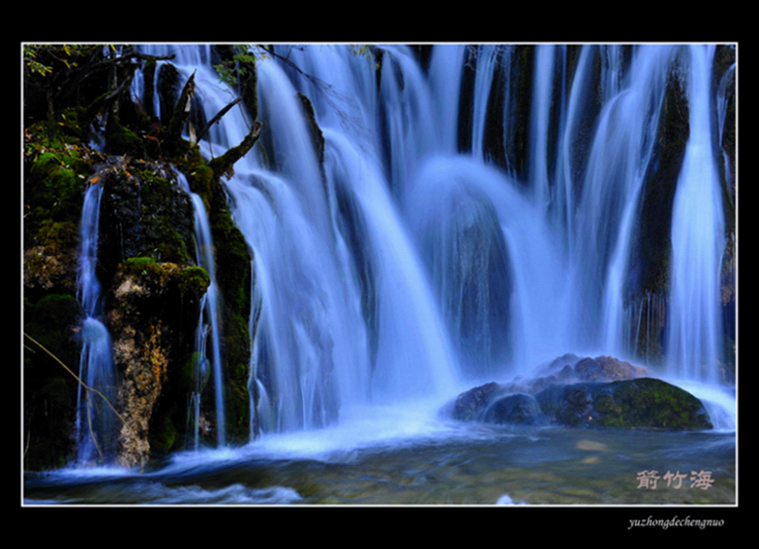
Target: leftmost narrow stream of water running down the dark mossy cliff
<point>95,423</point>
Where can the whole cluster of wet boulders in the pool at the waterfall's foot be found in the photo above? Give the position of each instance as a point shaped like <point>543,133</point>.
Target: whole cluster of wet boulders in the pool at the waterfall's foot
<point>585,392</point>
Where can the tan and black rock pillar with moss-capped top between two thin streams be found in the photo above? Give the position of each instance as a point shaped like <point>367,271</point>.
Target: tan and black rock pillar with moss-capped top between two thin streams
<point>152,316</point>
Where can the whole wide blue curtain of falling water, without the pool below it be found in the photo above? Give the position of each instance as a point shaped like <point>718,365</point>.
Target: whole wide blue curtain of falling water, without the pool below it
<point>391,262</point>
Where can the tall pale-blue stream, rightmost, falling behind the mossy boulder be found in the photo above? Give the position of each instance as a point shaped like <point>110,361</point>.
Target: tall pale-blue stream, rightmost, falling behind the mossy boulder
<point>694,335</point>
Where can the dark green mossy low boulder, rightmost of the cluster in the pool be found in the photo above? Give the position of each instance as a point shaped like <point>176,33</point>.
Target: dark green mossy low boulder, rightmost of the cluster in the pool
<point>639,403</point>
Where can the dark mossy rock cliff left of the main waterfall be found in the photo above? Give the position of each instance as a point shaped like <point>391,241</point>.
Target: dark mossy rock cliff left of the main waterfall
<point>151,284</point>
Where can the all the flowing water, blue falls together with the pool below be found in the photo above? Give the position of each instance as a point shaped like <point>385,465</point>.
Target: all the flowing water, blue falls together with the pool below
<point>422,221</point>
